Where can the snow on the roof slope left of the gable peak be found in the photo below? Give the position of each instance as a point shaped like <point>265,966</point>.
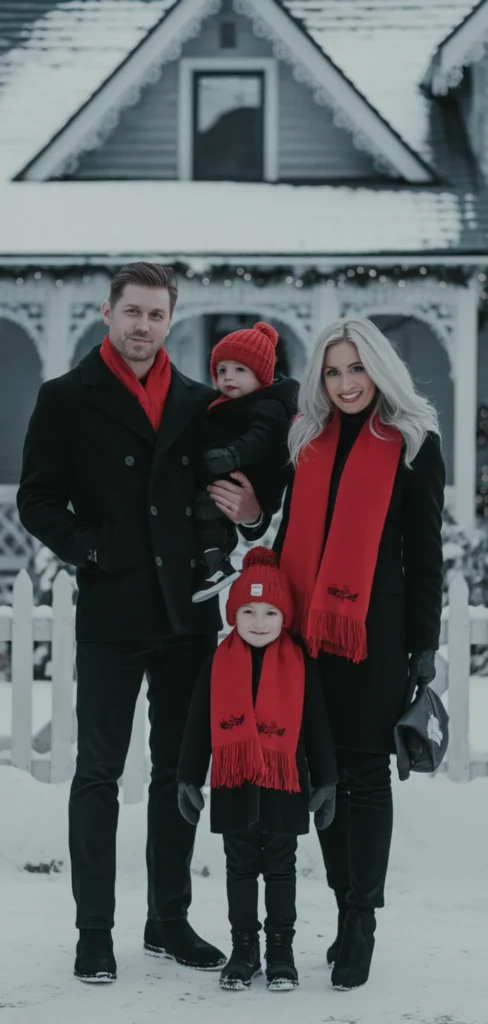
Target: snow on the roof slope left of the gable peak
<point>65,58</point>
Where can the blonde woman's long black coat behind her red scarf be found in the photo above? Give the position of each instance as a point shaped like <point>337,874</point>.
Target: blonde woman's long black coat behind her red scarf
<point>366,701</point>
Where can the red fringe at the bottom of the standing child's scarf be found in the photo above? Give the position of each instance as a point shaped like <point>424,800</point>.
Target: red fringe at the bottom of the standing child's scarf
<point>235,764</point>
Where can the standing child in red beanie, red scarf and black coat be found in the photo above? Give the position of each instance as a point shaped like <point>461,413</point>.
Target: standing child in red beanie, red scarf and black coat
<point>258,711</point>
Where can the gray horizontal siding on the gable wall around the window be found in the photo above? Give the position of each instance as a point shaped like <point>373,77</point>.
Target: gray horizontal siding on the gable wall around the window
<point>145,145</point>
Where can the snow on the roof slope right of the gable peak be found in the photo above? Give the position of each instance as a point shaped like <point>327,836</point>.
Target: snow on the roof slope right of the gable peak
<point>385,48</point>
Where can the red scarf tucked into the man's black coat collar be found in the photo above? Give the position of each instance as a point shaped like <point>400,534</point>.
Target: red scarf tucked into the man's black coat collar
<point>154,396</point>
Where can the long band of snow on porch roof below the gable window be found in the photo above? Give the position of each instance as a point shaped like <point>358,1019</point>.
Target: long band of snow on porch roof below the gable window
<point>181,219</point>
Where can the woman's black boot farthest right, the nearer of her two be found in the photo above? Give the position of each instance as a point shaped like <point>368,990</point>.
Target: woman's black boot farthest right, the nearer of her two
<point>354,959</point>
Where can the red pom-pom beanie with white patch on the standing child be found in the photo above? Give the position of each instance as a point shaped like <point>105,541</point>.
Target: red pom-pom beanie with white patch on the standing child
<point>261,581</point>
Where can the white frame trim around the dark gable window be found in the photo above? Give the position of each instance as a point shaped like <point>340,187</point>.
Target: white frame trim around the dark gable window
<point>188,69</point>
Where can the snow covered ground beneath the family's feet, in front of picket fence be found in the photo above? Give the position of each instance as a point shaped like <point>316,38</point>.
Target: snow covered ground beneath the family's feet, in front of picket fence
<point>429,967</point>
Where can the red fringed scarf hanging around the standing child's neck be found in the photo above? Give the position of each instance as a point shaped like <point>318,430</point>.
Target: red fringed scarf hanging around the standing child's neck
<point>256,744</point>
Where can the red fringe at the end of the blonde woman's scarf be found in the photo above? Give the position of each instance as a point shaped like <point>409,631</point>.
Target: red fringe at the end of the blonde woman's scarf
<point>336,634</point>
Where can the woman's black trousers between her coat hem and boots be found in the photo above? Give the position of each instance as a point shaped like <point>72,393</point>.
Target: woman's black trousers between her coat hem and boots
<point>357,846</point>
